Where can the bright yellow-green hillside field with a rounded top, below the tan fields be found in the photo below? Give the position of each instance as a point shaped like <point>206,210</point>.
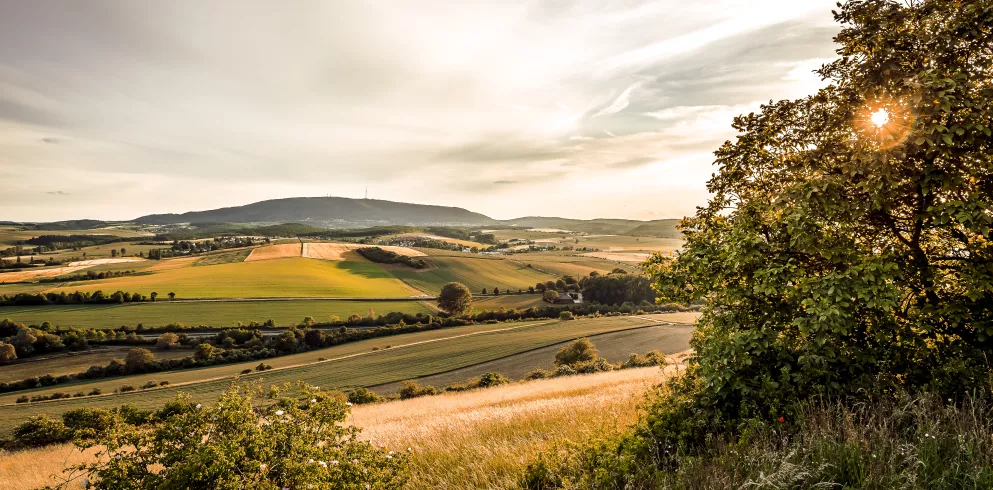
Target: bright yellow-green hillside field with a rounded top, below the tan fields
<point>277,278</point>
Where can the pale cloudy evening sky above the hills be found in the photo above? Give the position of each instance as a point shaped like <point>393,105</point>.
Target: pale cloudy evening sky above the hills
<point>117,109</point>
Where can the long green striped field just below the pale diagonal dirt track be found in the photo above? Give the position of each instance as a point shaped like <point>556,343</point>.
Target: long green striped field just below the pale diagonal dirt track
<point>349,365</point>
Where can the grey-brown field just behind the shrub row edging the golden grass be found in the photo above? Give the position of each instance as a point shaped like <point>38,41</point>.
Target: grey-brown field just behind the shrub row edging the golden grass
<point>613,346</point>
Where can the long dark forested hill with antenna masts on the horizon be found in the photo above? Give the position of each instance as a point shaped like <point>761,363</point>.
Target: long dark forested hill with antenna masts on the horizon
<point>329,211</point>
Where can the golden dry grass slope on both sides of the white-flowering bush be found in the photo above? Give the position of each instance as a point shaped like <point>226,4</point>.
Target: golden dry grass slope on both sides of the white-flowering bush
<point>477,439</point>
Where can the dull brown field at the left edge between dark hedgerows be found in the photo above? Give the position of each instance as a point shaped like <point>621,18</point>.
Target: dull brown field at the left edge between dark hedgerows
<point>75,362</point>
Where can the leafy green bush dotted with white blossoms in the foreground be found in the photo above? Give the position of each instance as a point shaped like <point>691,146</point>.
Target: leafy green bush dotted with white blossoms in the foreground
<point>242,442</point>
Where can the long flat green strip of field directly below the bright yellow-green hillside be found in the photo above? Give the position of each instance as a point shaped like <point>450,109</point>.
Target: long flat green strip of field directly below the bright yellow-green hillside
<point>212,313</point>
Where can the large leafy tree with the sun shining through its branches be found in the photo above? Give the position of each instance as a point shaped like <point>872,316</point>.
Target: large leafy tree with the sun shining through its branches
<point>847,242</point>
